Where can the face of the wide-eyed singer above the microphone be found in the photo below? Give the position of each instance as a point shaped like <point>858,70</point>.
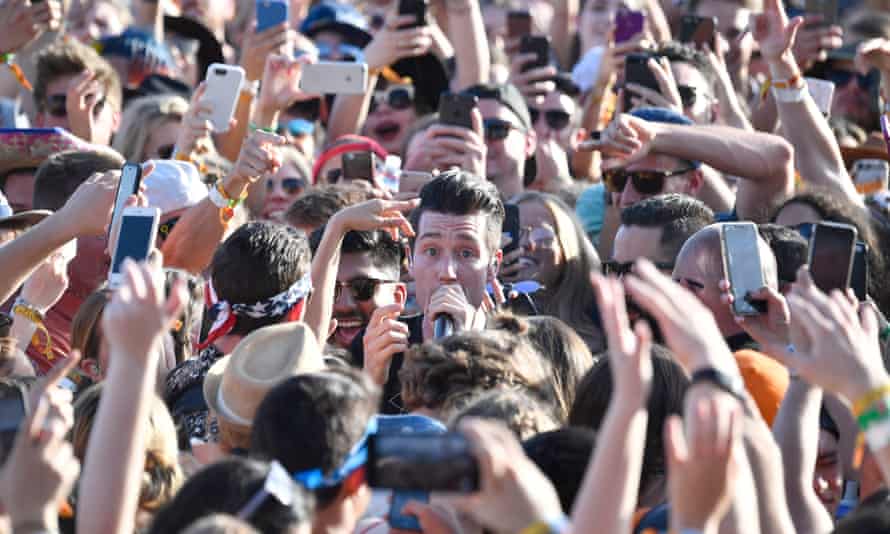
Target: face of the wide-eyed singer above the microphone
<point>452,249</point>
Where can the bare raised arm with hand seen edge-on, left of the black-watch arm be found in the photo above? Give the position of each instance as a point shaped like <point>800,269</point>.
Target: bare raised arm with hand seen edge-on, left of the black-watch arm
<point>608,496</point>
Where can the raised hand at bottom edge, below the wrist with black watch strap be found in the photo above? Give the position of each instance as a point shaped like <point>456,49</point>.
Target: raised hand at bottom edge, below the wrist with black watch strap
<point>702,463</point>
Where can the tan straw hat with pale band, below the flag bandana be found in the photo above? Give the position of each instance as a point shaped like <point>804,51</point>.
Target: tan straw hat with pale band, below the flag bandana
<point>236,384</point>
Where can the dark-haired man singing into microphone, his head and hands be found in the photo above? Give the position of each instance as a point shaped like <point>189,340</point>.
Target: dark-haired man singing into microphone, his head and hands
<point>456,255</point>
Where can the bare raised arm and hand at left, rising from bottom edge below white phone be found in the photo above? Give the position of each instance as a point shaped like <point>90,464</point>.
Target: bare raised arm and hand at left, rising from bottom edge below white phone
<point>134,322</point>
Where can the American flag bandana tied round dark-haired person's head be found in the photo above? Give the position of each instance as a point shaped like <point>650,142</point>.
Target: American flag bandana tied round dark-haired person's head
<point>275,306</point>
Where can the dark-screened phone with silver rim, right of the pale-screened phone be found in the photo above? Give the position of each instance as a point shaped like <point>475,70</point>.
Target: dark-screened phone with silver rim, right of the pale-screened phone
<point>831,255</point>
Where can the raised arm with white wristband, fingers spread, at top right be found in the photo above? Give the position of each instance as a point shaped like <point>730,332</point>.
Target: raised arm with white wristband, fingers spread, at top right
<point>818,157</point>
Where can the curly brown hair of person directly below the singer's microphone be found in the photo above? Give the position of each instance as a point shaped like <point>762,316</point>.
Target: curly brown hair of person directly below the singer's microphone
<point>442,374</point>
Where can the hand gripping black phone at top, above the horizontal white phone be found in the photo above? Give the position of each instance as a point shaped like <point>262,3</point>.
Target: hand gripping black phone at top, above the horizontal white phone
<point>392,42</point>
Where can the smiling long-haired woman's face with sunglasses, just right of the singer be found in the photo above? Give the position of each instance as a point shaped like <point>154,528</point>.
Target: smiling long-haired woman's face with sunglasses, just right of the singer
<point>542,256</point>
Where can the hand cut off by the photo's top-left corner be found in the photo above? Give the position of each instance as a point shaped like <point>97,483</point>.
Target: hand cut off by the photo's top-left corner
<point>24,21</point>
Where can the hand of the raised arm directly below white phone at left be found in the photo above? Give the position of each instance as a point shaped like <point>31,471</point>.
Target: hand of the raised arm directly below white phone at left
<point>139,312</point>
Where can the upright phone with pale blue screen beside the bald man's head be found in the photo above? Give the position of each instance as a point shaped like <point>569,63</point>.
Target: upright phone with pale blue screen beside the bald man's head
<point>741,262</point>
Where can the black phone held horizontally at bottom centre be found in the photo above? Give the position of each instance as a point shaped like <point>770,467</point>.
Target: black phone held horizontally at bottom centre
<point>422,462</point>
